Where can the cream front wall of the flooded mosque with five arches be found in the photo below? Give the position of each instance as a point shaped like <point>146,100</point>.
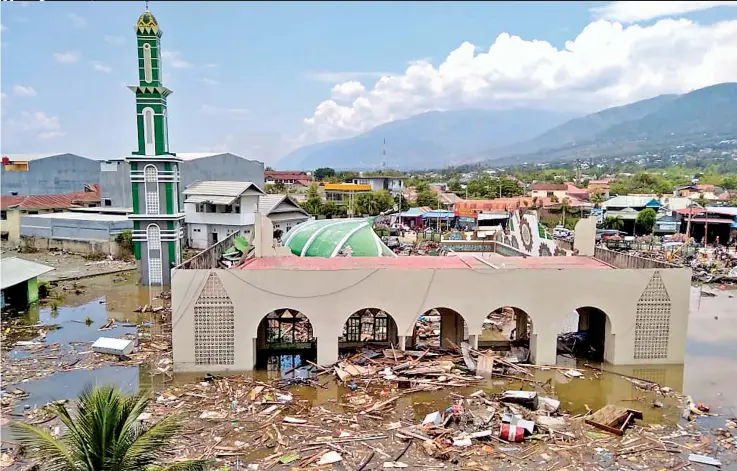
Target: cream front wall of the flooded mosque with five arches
<point>329,297</point>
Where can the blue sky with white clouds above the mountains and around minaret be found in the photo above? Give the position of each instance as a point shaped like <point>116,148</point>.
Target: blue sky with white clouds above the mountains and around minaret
<point>246,75</point>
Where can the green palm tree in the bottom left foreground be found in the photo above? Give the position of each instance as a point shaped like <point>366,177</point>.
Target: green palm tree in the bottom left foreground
<point>105,435</point>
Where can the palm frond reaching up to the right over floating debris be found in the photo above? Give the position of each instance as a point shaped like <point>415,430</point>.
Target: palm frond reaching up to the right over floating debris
<point>151,444</point>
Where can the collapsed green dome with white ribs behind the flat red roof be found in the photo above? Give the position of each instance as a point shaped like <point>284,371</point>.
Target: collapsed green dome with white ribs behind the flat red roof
<point>326,237</point>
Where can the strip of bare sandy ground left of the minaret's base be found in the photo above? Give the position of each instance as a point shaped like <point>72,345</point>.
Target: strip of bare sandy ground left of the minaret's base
<point>68,266</point>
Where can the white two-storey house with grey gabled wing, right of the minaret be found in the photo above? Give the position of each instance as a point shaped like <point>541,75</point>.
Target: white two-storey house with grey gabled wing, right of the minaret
<point>213,210</point>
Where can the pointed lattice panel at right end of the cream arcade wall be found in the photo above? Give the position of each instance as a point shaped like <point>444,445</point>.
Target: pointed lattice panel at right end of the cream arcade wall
<point>652,322</point>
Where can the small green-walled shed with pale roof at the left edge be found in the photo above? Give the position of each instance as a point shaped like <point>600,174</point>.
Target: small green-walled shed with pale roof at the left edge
<point>19,282</point>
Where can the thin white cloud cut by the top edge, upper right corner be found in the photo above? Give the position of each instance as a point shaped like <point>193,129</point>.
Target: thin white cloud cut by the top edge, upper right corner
<point>630,12</point>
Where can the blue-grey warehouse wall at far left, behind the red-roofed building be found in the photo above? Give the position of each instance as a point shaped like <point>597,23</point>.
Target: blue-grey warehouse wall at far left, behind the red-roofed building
<point>63,173</point>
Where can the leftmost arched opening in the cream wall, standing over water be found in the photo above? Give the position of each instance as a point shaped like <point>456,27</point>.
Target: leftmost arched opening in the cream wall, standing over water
<point>284,343</point>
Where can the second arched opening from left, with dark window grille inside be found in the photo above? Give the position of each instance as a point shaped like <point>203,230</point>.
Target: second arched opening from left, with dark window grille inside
<point>369,326</point>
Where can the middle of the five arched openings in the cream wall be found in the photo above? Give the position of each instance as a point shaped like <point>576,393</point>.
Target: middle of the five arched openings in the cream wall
<point>439,327</point>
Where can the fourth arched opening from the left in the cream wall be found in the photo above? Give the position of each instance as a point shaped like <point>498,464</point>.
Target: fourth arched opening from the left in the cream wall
<point>509,329</point>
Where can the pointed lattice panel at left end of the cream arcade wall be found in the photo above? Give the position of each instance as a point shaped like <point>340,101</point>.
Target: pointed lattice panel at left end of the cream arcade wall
<point>214,325</point>
